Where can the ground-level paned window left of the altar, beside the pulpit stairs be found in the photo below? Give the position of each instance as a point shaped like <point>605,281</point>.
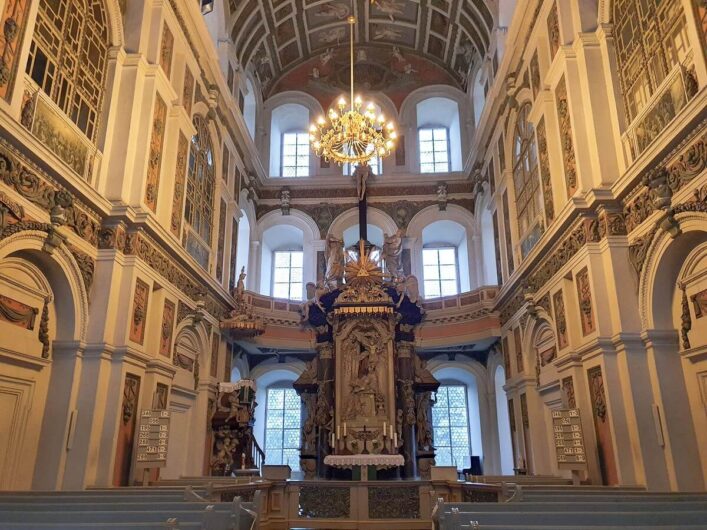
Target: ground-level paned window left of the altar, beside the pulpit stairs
<point>282,427</point>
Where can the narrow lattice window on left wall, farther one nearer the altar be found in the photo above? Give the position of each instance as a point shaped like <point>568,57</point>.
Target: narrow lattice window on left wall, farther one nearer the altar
<point>199,209</point>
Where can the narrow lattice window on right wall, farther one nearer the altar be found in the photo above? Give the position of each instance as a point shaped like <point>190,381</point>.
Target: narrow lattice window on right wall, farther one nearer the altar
<point>526,182</point>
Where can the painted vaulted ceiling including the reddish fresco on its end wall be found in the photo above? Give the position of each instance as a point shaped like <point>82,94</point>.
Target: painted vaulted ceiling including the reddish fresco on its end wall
<point>400,43</point>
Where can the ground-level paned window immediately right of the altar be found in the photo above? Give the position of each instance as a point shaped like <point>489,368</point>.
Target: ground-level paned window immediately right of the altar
<point>450,426</point>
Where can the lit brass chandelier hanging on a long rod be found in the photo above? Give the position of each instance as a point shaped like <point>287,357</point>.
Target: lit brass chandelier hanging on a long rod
<point>352,136</point>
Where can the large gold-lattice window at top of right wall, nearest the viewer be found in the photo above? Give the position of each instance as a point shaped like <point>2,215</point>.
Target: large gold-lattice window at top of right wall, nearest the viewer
<point>651,38</point>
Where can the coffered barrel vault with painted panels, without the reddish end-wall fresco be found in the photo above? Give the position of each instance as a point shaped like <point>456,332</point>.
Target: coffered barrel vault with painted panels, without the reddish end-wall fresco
<point>277,35</point>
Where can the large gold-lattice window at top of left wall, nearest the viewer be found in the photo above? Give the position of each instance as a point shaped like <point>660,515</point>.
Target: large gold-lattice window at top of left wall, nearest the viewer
<point>67,58</point>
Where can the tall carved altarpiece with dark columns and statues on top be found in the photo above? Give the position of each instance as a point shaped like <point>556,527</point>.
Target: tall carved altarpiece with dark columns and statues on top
<point>367,391</point>
